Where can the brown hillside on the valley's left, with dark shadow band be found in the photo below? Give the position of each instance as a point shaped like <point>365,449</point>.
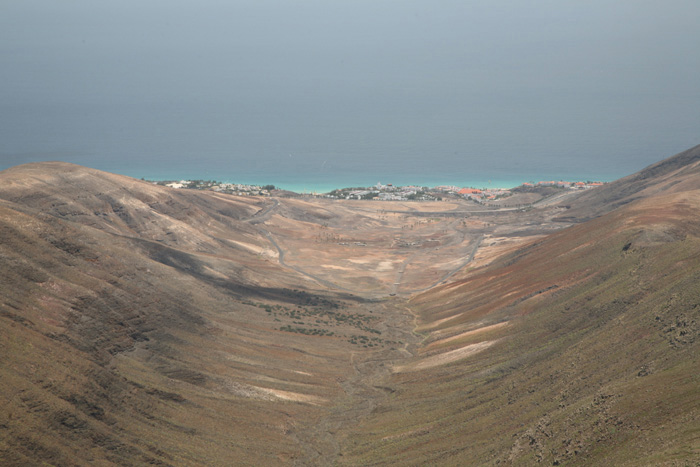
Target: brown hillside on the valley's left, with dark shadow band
<point>146,325</point>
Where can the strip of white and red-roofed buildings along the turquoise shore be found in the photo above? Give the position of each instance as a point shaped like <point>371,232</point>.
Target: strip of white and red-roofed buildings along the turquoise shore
<point>388,192</point>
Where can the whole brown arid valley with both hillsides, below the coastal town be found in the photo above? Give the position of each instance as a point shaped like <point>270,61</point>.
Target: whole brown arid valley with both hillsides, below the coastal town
<point>141,324</point>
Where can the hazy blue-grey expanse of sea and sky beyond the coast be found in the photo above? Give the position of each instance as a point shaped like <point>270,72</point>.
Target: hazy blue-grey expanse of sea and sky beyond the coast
<point>473,84</point>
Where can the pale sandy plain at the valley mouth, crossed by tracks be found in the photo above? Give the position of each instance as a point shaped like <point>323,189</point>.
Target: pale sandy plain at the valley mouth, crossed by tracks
<point>377,249</point>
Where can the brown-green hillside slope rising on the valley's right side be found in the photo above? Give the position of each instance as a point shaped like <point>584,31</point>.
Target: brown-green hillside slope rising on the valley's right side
<point>581,348</point>
